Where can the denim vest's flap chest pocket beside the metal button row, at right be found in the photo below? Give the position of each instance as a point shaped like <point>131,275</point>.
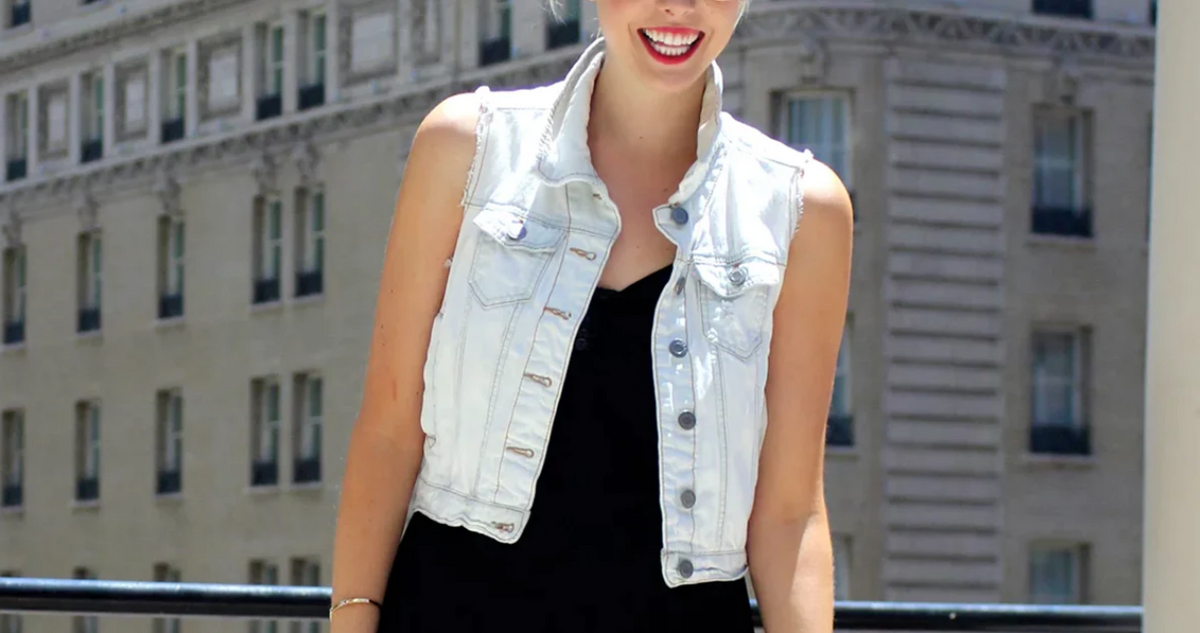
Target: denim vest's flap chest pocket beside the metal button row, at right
<point>734,303</point>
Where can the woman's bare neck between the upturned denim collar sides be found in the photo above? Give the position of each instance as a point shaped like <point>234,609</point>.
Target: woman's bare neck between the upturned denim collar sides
<point>653,125</point>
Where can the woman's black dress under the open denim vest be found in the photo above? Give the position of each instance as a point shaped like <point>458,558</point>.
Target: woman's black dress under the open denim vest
<point>589,560</point>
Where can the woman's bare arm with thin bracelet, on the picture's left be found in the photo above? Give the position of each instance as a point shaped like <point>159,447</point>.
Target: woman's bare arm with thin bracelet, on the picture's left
<point>386,447</point>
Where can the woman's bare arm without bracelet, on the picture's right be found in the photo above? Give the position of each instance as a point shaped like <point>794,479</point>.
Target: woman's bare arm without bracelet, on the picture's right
<point>789,542</point>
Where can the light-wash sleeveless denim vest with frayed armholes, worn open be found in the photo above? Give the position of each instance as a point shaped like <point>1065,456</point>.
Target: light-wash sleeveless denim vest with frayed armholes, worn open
<point>538,230</point>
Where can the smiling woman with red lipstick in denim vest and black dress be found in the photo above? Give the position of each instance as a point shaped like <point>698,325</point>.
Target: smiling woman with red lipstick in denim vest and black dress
<point>621,226</point>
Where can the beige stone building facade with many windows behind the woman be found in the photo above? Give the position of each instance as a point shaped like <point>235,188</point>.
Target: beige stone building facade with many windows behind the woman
<point>196,196</point>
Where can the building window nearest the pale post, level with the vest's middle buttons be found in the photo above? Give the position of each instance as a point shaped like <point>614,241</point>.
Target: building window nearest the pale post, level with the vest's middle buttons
<point>1059,417</point>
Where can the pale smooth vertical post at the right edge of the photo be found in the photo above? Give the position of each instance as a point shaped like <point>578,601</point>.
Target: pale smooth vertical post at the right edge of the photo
<point>1173,354</point>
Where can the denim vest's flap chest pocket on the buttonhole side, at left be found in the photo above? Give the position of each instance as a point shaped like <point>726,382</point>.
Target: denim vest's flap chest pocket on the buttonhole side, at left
<point>511,256</point>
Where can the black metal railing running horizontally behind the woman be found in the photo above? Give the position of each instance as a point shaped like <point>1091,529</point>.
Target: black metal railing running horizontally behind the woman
<point>134,598</point>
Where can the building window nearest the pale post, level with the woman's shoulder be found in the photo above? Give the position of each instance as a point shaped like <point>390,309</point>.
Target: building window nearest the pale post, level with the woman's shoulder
<point>1060,176</point>
